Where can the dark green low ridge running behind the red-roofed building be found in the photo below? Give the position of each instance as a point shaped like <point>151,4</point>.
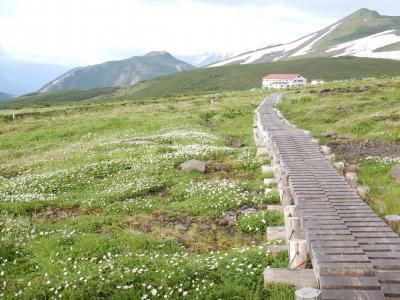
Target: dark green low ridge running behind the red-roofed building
<point>235,77</point>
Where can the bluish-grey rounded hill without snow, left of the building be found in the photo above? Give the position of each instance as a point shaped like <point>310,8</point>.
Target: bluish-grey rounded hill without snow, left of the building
<point>117,73</point>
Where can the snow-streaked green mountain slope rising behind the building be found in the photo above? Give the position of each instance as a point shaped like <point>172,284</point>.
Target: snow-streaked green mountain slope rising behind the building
<point>364,33</point>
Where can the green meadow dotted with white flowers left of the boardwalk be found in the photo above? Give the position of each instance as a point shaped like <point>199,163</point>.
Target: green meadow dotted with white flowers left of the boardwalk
<point>90,200</point>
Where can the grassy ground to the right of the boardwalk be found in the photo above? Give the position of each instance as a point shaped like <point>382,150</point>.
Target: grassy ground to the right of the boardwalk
<point>367,109</point>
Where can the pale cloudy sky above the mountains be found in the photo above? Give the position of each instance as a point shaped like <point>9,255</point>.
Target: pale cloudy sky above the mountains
<point>83,32</point>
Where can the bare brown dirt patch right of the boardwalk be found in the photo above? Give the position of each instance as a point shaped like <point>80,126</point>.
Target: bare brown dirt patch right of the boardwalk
<point>358,150</point>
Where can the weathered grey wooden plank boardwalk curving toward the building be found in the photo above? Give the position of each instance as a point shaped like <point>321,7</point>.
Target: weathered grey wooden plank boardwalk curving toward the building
<point>355,255</point>
